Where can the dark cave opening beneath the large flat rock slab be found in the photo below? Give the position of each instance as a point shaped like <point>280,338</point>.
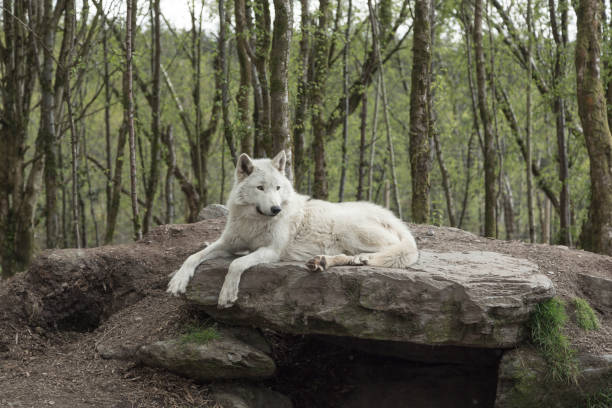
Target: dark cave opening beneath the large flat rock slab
<point>318,373</point>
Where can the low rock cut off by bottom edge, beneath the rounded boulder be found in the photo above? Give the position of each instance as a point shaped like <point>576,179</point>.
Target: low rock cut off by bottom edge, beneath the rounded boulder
<point>247,396</point>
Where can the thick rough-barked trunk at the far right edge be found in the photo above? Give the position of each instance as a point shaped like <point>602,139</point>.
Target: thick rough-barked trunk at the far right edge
<point>597,232</point>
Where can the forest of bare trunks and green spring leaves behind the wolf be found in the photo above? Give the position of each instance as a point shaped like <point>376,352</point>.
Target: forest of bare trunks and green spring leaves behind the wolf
<point>492,116</point>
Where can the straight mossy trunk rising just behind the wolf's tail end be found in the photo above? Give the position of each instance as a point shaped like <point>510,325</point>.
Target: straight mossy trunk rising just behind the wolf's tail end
<point>420,162</point>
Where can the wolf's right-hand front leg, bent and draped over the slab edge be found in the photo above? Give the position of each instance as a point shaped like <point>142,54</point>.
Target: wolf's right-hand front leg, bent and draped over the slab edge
<point>229,291</point>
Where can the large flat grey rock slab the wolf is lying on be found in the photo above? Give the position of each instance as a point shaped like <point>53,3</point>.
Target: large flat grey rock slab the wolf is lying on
<point>477,299</point>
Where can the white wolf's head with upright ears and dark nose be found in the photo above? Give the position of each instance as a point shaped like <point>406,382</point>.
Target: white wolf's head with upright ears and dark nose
<point>262,185</point>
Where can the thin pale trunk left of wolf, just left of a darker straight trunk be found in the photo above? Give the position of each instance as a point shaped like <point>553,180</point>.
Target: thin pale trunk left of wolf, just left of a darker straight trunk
<point>129,37</point>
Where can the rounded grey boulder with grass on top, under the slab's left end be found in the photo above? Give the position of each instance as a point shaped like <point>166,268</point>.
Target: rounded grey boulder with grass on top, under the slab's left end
<point>221,358</point>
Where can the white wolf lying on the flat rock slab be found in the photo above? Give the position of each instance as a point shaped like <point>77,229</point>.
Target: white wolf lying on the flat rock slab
<point>269,219</point>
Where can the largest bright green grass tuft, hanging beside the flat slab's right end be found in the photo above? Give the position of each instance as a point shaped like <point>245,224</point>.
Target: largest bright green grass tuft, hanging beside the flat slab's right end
<point>546,323</point>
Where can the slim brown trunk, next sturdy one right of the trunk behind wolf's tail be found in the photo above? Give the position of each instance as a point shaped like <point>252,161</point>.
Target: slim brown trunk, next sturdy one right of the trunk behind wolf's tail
<point>490,158</point>
